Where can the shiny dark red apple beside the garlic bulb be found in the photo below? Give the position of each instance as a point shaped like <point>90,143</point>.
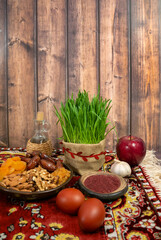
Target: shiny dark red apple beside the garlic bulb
<point>131,149</point>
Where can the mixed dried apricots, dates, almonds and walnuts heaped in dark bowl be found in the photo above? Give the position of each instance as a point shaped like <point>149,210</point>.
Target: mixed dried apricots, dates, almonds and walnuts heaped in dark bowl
<point>34,172</point>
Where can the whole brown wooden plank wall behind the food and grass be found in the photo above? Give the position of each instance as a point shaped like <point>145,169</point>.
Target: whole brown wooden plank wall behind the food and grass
<point>51,49</point>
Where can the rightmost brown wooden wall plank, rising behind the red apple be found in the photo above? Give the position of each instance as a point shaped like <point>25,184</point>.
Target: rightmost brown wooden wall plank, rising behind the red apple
<point>146,72</point>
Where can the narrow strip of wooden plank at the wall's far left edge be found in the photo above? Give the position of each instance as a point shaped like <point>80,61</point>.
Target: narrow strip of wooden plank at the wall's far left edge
<point>3,76</point>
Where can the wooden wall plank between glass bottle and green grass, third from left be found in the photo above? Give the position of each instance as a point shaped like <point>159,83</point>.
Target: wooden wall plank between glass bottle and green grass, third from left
<point>51,61</point>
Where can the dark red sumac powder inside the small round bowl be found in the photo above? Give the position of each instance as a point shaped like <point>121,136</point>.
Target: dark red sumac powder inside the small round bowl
<point>102,183</point>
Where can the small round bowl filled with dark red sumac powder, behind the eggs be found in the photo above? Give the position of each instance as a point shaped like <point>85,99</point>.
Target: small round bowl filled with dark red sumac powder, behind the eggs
<point>105,186</point>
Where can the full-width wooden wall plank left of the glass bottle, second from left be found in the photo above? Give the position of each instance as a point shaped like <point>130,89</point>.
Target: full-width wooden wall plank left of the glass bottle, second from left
<point>21,95</point>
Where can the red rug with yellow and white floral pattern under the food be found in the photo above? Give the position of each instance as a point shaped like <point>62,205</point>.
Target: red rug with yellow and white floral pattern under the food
<point>135,216</point>
